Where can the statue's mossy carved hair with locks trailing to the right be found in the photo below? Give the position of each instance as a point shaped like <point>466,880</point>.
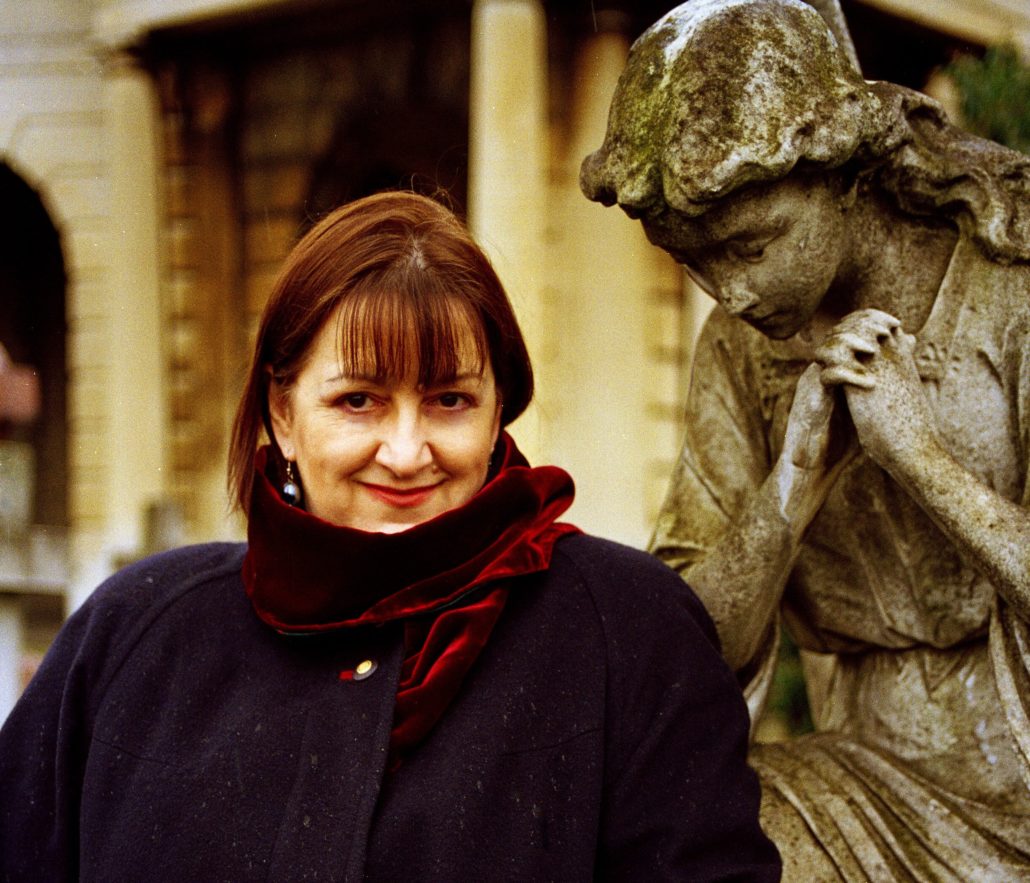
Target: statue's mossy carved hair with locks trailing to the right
<point>723,94</point>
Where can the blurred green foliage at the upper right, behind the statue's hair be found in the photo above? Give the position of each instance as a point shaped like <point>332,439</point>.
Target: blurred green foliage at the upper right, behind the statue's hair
<point>995,96</point>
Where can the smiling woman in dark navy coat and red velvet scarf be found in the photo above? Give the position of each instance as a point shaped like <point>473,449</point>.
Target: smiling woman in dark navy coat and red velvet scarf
<point>413,671</point>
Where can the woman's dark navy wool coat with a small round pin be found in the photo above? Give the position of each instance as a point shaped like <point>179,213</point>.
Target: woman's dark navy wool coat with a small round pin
<point>171,736</point>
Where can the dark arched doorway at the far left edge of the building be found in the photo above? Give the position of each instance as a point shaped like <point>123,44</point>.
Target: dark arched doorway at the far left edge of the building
<point>33,434</point>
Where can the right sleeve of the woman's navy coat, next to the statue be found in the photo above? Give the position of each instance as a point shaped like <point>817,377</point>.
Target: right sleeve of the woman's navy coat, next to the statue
<point>681,803</point>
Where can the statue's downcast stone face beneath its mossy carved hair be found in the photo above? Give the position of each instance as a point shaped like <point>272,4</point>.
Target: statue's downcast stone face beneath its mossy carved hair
<point>769,254</point>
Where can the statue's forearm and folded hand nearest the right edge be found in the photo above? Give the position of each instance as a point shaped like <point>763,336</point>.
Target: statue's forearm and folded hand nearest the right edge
<point>872,358</point>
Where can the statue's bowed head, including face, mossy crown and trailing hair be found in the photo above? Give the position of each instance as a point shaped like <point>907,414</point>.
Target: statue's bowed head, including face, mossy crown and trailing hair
<point>741,135</point>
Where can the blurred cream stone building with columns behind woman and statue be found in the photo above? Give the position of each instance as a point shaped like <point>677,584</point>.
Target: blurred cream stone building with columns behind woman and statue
<point>158,159</point>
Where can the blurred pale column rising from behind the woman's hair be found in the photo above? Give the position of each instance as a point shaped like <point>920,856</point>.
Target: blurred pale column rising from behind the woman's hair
<point>507,172</point>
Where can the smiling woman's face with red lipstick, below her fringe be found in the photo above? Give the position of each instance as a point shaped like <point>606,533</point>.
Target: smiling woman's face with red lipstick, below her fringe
<point>385,455</point>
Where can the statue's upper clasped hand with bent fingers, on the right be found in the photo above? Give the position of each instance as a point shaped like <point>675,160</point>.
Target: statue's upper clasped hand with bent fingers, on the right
<point>872,358</point>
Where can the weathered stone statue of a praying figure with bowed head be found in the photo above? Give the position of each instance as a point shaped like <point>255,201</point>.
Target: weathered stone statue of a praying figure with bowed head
<point>857,454</point>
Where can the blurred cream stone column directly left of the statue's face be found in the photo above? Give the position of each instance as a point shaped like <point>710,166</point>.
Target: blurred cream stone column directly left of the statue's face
<point>621,316</point>
